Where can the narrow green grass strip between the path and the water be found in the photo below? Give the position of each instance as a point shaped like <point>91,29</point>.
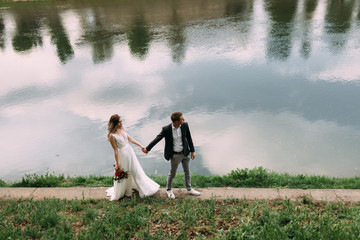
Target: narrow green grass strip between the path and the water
<point>257,177</point>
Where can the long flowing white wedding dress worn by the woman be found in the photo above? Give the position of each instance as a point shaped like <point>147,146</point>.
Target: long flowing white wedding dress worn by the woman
<point>137,179</point>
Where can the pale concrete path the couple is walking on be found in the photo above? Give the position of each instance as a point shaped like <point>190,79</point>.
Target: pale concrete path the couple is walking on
<point>332,195</point>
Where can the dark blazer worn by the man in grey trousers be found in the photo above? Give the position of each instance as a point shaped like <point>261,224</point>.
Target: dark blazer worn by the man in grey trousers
<point>166,132</point>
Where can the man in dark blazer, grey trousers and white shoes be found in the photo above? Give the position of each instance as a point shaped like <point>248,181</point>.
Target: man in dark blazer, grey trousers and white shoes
<point>178,146</point>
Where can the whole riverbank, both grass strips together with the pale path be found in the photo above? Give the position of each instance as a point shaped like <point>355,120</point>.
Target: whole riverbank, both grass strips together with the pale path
<point>84,212</point>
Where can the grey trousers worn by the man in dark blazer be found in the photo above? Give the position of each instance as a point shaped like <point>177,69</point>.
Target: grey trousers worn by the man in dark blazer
<point>175,161</point>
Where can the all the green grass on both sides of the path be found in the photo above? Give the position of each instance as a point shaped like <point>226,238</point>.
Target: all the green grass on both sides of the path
<point>190,218</point>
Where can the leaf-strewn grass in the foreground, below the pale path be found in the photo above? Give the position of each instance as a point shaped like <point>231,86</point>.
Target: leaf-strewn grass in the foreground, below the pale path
<point>191,218</point>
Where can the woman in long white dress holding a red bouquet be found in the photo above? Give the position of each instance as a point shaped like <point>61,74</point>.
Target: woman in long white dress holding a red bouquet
<point>126,160</point>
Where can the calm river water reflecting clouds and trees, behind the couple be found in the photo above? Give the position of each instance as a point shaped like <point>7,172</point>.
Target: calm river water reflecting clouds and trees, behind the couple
<point>272,83</point>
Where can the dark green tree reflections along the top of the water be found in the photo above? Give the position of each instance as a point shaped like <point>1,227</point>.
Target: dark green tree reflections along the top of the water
<point>107,24</point>
